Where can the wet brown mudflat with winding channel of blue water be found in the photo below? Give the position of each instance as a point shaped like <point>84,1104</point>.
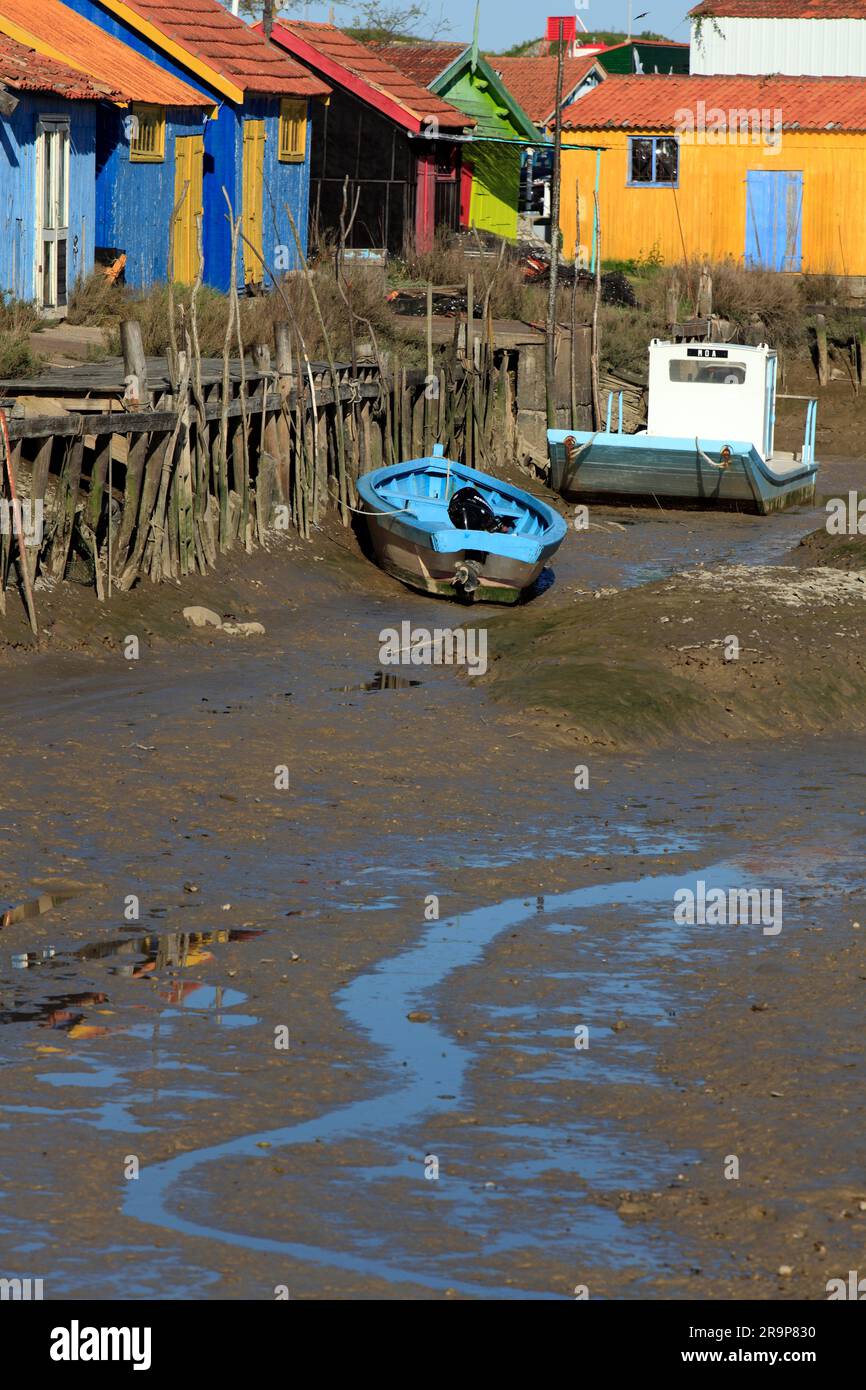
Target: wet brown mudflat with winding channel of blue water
<point>252,1085</point>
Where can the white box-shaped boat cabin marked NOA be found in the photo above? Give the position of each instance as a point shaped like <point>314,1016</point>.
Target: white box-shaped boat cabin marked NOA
<point>721,391</point>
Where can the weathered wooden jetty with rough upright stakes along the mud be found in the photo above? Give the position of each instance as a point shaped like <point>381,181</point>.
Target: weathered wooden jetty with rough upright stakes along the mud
<point>148,469</point>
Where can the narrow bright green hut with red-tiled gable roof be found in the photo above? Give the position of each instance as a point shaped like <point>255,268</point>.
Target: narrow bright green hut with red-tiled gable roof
<point>491,167</point>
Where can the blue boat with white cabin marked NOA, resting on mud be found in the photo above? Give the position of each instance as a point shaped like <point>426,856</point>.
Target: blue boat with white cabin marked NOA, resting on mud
<point>708,439</point>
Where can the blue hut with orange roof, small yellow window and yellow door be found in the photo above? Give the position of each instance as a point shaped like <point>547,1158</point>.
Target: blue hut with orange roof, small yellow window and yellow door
<point>141,141</point>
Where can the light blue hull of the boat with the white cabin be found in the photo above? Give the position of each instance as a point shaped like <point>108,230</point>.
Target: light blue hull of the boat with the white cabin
<point>639,468</point>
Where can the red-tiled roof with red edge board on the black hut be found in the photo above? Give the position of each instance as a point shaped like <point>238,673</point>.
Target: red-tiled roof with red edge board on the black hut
<point>361,70</point>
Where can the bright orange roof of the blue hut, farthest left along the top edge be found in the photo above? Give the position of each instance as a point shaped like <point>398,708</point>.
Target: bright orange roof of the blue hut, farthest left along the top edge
<point>59,33</point>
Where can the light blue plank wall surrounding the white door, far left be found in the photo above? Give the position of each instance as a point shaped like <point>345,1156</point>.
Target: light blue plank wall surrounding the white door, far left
<point>19,191</point>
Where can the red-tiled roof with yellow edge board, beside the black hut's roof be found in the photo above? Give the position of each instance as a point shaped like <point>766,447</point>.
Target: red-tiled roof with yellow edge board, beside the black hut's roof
<point>208,31</point>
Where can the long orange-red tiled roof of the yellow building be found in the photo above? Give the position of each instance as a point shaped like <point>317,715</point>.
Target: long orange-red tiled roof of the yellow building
<point>658,102</point>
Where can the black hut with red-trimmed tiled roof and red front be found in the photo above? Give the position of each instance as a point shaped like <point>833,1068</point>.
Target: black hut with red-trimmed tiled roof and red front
<point>387,136</point>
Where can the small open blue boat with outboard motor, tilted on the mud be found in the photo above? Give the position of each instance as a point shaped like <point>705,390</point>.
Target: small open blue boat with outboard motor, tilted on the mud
<point>454,532</point>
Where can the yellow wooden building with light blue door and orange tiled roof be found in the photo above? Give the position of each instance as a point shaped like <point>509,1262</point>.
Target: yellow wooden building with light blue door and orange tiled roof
<point>743,167</point>
